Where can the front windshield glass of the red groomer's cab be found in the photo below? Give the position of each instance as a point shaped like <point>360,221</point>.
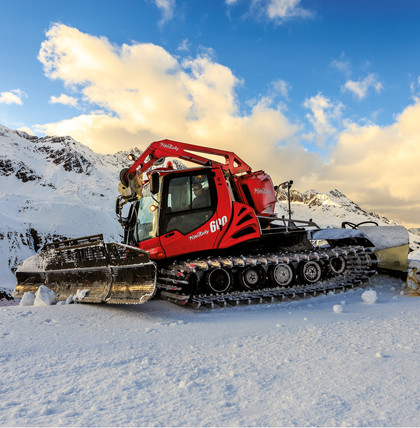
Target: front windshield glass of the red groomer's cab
<point>146,224</point>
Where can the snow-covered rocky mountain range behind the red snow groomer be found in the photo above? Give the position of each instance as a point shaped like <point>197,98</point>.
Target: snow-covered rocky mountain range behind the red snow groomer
<point>56,188</point>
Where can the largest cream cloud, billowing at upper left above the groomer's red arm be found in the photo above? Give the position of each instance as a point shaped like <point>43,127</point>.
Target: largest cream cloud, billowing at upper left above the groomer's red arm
<point>150,95</point>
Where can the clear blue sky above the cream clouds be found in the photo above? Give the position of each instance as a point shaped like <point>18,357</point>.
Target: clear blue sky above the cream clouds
<point>338,41</point>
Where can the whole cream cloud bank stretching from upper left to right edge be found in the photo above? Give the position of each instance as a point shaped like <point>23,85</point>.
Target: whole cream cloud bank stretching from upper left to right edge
<point>149,94</point>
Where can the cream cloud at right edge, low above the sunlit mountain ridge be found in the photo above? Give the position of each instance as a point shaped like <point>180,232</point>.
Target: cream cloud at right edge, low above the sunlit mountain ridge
<point>377,167</point>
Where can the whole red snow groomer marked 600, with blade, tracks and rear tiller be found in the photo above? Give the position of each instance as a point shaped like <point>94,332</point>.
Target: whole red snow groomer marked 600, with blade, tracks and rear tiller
<point>209,235</point>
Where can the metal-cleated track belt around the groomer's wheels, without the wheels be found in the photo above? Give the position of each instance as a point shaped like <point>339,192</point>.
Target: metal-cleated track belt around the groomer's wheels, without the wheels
<point>360,267</point>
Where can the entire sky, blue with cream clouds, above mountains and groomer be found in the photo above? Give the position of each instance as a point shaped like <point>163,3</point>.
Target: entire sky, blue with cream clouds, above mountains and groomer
<point>323,92</point>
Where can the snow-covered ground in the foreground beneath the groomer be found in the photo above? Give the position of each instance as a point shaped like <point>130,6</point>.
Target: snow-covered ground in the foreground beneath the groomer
<point>296,363</point>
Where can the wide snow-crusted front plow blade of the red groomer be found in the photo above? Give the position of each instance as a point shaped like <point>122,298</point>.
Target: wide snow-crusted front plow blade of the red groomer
<point>101,272</point>
